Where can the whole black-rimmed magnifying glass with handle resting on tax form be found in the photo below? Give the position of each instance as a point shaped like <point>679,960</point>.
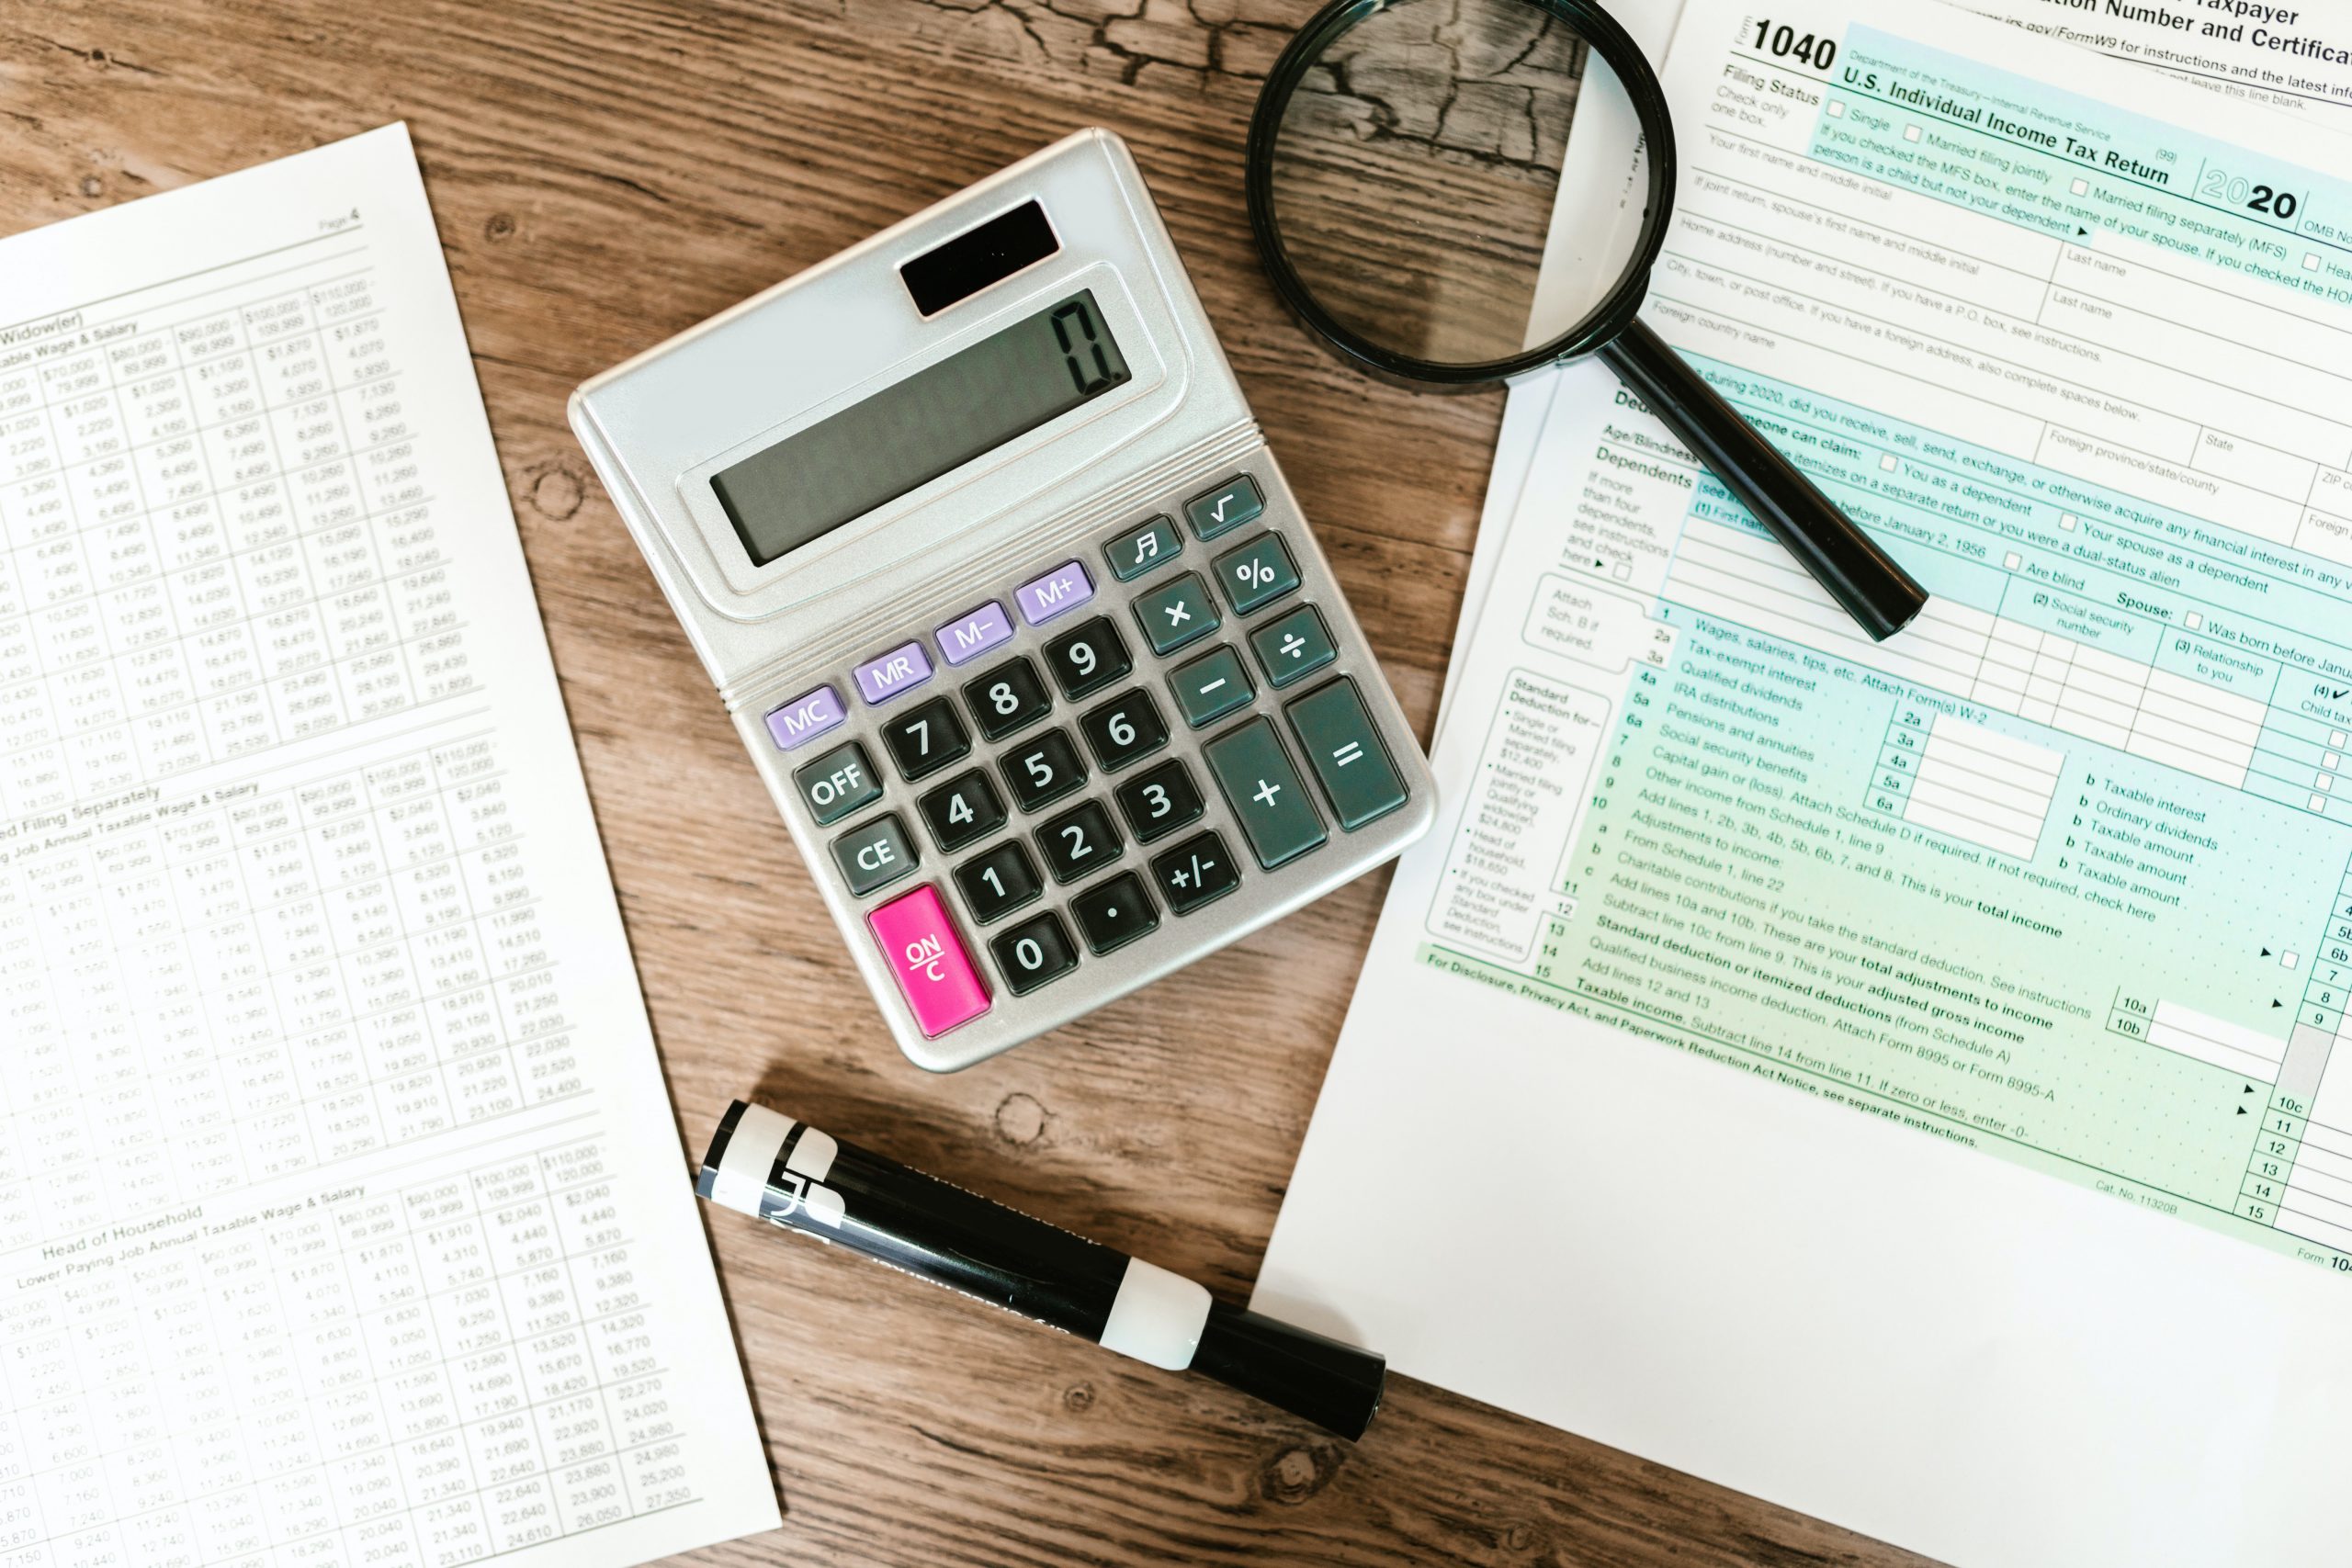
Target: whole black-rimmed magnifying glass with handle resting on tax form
<point>1405,168</point>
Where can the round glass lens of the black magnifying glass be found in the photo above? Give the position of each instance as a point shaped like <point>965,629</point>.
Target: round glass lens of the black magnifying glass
<point>1419,168</point>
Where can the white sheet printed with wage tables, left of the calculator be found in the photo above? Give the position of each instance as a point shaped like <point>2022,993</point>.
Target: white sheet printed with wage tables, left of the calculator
<point>342,1219</point>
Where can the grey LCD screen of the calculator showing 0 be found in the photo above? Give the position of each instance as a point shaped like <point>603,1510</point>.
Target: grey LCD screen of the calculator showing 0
<point>918,429</point>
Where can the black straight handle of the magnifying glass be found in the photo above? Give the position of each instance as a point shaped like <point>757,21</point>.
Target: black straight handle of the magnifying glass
<point>1845,561</point>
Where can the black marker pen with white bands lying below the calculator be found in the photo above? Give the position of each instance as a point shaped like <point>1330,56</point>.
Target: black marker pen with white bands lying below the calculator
<point>801,1179</point>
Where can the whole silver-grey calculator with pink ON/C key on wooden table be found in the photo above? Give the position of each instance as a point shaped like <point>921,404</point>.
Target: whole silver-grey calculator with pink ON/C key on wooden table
<point>1010,603</point>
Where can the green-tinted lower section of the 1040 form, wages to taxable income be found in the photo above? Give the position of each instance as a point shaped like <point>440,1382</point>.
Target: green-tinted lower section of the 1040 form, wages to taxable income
<point>1737,892</point>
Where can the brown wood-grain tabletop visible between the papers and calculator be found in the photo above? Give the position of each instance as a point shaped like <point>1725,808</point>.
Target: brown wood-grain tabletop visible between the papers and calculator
<point>617,170</point>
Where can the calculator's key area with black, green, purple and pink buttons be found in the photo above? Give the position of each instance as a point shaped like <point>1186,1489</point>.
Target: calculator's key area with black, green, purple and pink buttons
<point>1045,786</point>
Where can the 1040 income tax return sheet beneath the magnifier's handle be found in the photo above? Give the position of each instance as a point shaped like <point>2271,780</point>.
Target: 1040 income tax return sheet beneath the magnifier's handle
<point>1998,1186</point>
